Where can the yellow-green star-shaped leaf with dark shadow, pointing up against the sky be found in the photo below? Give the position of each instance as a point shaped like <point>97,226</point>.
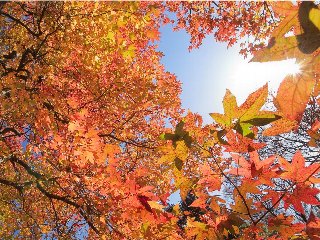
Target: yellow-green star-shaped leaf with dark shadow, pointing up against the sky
<point>247,115</point>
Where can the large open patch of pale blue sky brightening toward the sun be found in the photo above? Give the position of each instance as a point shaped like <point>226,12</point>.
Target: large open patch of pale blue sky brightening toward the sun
<point>206,72</point>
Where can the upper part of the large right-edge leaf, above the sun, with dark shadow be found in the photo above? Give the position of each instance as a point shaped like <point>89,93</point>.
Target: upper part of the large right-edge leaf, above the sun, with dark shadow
<point>299,46</point>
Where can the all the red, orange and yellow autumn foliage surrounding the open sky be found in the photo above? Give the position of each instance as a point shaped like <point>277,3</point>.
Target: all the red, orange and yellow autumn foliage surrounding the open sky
<point>85,147</point>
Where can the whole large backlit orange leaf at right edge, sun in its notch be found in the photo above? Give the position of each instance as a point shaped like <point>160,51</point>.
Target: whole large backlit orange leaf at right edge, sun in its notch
<point>295,89</point>
